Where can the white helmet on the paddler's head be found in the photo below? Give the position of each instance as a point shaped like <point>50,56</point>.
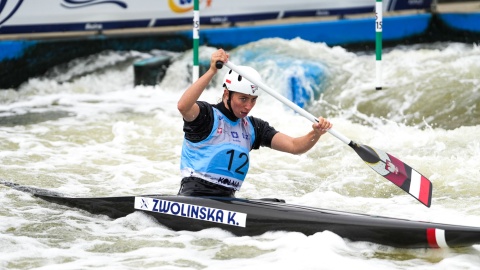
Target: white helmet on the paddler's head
<point>236,83</point>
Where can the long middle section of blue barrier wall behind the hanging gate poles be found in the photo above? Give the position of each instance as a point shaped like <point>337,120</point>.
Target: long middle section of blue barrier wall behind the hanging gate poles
<point>339,32</point>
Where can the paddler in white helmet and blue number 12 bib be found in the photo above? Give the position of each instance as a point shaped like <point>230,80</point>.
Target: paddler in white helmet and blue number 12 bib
<point>219,137</point>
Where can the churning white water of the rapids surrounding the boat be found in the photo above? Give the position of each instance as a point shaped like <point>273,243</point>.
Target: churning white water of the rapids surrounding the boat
<point>87,131</point>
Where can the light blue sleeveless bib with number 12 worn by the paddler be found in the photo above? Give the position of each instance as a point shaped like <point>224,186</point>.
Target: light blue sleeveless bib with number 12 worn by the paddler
<point>223,157</point>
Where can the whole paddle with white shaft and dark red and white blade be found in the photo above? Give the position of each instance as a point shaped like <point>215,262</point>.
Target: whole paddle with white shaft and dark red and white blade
<point>383,163</point>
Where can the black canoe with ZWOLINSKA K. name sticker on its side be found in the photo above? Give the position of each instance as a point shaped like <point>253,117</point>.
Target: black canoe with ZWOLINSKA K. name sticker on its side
<point>251,217</point>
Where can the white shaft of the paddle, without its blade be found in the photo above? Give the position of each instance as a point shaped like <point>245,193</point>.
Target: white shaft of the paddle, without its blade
<point>284,100</point>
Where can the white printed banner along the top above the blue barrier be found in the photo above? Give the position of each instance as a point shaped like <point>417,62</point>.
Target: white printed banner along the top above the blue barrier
<point>25,16</point>
